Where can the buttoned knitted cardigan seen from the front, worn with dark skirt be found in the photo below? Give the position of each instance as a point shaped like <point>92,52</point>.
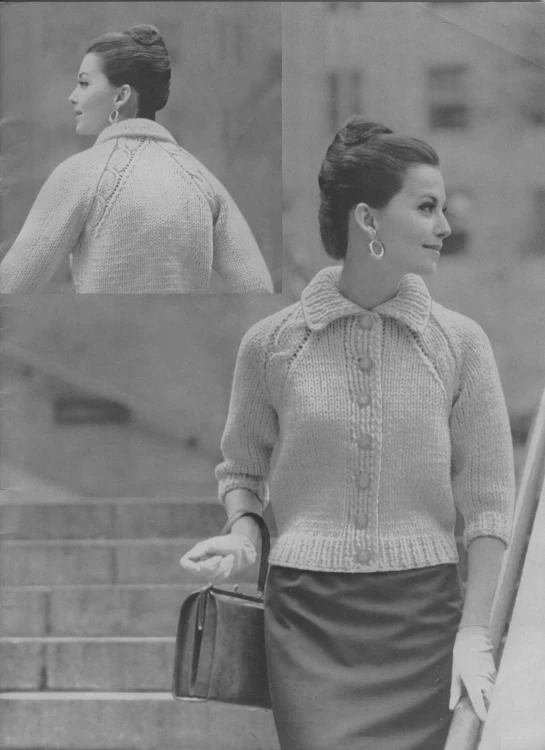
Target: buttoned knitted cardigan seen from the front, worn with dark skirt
<point>367,429</point>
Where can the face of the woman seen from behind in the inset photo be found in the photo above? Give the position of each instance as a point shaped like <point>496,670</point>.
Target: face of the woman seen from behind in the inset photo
<point>93,98</point>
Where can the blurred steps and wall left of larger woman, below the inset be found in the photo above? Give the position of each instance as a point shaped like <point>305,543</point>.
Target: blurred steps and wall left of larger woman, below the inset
<point>112,410</point>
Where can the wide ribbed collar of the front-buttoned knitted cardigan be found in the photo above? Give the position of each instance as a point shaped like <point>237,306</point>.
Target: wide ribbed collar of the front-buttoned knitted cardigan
<point>323,303</point>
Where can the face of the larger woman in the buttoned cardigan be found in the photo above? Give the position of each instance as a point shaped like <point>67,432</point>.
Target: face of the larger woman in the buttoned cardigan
<point>412,226</point>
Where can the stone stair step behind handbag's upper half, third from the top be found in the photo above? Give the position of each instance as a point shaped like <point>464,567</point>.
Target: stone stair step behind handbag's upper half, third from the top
<point>97,610</point>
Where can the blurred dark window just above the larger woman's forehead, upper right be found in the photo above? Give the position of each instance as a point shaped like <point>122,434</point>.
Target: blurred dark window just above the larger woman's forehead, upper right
<point>447,86</point>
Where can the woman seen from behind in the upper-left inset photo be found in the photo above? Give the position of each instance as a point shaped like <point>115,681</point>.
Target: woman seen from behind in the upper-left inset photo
<point>136,212</point>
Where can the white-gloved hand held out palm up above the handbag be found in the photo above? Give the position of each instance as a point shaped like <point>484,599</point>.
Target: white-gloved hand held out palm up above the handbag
<point>220,557</point>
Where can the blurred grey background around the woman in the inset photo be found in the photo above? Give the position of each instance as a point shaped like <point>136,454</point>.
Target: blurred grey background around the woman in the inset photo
<point>224,106</point>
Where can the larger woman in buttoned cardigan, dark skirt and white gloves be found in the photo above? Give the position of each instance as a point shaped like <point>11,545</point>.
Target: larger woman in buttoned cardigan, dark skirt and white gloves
<point>370,413</point>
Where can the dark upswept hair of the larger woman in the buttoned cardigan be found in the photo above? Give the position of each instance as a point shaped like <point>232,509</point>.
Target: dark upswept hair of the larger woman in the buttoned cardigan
<point>365,163</point>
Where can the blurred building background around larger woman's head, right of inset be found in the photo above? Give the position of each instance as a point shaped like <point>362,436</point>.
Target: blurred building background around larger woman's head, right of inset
<point>470,79</point>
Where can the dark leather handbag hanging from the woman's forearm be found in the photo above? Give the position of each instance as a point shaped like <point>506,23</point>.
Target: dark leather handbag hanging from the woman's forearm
<point>220,641</point>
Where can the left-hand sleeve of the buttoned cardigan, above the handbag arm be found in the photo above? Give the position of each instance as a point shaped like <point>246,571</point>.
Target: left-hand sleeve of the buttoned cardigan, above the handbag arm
<point>252,424</point>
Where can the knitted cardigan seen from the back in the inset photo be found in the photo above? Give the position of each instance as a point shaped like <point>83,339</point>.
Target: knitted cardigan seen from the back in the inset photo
<point>137,214</point>
